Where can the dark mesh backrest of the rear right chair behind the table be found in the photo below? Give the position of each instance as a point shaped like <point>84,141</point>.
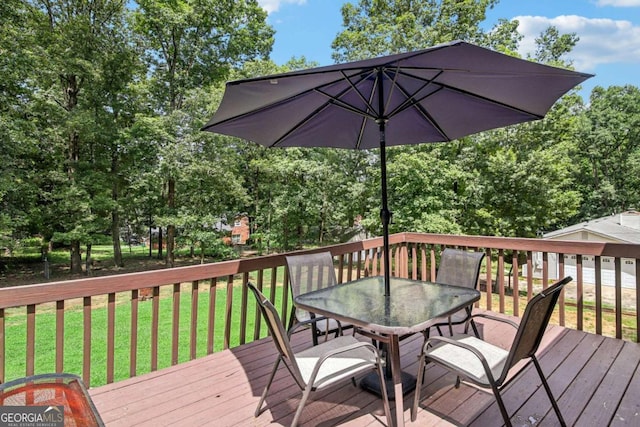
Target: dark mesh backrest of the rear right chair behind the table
<point>459,267</point>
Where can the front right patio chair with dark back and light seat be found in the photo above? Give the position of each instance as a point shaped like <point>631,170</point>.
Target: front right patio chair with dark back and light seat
<point>487,365</point>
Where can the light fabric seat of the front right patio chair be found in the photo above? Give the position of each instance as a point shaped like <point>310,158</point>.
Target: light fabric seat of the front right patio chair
<point>464,360</point>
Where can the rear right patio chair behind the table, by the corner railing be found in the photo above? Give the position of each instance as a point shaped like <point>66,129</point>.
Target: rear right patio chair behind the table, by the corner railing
<point>459,268</point>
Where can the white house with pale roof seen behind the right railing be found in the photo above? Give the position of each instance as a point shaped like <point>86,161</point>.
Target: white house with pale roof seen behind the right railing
<point>618,228</point>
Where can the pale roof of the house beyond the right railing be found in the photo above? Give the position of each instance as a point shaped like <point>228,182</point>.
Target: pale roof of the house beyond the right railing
<point>624,227</point>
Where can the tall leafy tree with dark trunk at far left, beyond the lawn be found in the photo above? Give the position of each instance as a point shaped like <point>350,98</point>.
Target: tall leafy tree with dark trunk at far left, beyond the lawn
<point>71,38</point>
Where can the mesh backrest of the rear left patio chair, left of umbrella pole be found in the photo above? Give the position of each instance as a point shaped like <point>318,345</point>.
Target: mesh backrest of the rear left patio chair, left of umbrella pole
<point>308,273</point>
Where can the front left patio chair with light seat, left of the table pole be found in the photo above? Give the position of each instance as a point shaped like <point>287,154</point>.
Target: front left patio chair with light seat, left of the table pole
<point>321,365</point>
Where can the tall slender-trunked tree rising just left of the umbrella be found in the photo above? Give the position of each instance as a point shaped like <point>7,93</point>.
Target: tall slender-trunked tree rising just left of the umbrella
<point>192,45</point>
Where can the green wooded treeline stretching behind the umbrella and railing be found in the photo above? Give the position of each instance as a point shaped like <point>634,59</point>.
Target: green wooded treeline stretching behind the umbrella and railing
<point>102,102</point>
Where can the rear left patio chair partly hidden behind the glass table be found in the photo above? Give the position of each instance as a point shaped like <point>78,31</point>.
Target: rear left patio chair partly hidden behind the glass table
<point>308,273</point>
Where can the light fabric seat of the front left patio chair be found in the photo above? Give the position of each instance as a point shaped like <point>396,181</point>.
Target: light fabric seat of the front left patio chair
<point>337,367</point>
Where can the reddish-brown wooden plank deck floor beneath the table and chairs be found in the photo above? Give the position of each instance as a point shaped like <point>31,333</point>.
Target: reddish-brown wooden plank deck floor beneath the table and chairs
<point>595,379</point>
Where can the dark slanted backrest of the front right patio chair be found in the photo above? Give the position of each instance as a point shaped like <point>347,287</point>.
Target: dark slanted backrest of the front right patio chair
<point>533,324</point>
